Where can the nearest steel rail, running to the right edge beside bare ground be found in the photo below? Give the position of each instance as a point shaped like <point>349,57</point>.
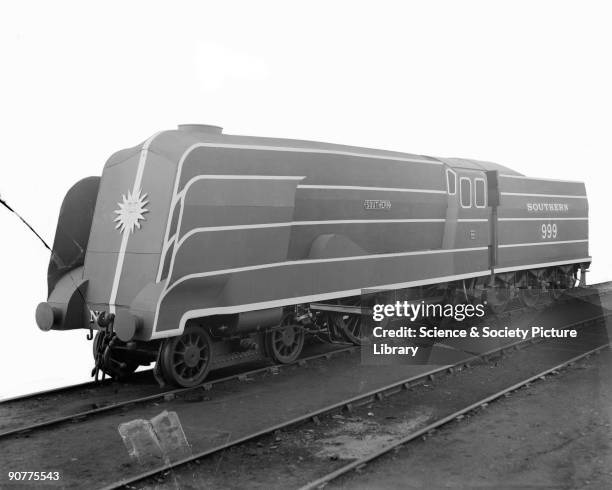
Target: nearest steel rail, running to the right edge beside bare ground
<point>360,463</point>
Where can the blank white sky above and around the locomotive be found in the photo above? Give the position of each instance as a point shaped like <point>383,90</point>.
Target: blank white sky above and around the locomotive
<point>523,83</point>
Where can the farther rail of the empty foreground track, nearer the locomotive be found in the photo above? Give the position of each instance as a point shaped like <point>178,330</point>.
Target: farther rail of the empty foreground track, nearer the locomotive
<point>352,402</point>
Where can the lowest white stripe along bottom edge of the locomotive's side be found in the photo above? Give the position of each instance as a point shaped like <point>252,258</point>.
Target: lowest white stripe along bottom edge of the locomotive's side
<point>306,299</point>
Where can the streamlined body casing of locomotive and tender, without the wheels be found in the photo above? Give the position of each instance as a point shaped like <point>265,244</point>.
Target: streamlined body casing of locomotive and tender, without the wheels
<point>195,224</point>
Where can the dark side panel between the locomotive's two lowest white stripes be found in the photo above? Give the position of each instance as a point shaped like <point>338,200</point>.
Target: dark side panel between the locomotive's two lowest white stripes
<point>297,280</point>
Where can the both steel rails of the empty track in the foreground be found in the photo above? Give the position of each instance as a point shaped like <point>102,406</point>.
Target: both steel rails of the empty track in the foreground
<point>381,393</point>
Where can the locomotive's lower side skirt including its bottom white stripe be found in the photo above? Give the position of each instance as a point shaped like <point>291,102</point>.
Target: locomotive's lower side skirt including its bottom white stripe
<point>294,282</point>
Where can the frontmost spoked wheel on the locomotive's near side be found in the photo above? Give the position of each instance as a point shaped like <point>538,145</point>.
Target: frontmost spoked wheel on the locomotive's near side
<point>186,360</point>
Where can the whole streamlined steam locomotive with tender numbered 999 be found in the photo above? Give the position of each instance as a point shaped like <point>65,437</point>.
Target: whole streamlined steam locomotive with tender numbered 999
<point>197,249</point>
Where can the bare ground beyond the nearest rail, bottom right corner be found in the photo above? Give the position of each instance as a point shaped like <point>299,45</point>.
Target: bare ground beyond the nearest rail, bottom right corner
<point>554,434</point>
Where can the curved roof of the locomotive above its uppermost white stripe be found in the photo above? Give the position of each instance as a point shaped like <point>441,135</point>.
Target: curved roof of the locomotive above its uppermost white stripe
<point>187,138</point>
